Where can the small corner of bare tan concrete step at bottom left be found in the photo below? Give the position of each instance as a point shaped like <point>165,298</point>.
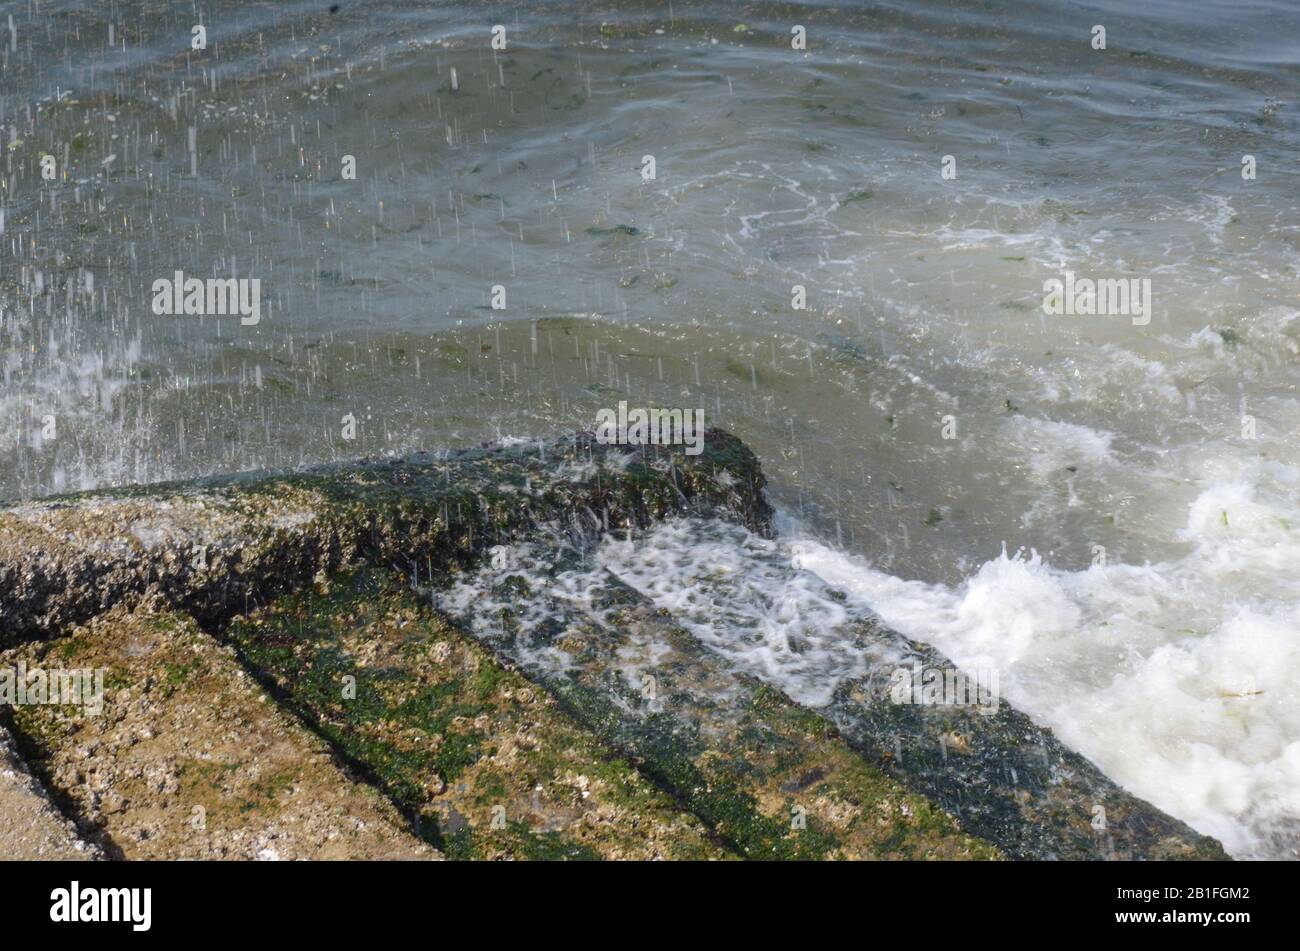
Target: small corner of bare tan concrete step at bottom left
<point>31,824</point>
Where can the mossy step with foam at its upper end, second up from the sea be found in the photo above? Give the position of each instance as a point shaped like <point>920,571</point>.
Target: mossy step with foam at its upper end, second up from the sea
<point>772,779</point>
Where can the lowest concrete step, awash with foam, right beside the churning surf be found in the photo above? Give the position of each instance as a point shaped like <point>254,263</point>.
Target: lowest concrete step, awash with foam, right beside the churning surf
<point>941,731</point>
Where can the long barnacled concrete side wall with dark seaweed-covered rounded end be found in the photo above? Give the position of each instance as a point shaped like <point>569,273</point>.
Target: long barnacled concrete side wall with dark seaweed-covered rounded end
<point>218,548</point>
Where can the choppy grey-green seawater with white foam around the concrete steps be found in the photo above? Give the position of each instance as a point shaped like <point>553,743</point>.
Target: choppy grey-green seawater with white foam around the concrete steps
<point>1115,523</point>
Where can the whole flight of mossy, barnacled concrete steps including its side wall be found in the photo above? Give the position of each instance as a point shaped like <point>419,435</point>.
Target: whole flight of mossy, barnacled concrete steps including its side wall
<point>661,746</point>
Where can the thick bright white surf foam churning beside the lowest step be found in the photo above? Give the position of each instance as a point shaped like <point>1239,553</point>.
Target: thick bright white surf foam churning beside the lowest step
<point>1176,679</point>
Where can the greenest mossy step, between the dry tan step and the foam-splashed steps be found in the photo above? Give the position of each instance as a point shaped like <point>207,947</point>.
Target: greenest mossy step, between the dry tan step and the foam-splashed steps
<point>484,762</point>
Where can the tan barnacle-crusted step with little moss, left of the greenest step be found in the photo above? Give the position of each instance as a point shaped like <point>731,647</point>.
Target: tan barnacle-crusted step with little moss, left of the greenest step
<point>185,757</point>
